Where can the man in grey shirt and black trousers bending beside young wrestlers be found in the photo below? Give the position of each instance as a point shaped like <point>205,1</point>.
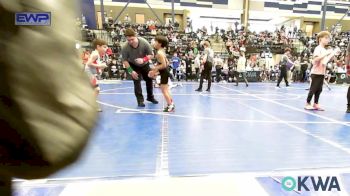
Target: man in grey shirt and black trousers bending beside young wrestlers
<point>136,55</point>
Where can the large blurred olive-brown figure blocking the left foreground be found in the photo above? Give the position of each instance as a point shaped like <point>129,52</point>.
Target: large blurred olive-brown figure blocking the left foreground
<point>47,106</point>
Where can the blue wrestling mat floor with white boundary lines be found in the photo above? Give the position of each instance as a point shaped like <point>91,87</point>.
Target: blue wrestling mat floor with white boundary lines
<point>258,134</point>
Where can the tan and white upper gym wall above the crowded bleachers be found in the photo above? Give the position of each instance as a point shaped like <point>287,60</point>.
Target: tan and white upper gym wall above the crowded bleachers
<point>306,10</point>
